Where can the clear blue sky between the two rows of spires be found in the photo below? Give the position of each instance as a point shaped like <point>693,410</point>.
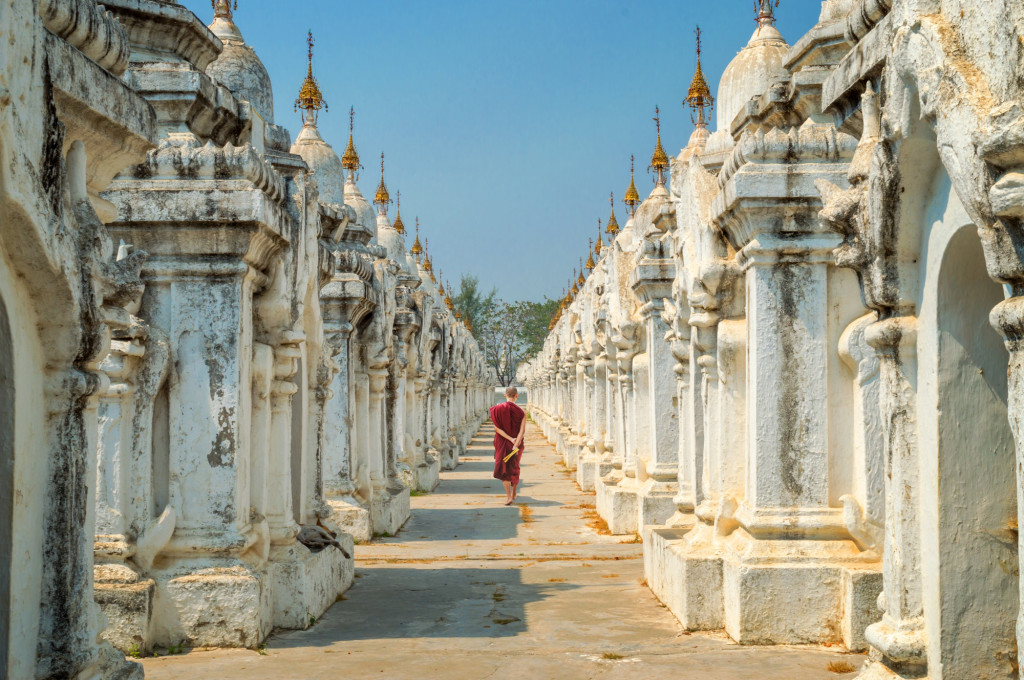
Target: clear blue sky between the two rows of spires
<point>505,124</point>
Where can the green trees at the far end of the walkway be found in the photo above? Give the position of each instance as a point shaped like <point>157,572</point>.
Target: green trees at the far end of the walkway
<point>507,332</point>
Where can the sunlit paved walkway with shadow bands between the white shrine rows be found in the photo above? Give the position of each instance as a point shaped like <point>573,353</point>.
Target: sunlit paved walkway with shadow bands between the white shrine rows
<point>473,590</point>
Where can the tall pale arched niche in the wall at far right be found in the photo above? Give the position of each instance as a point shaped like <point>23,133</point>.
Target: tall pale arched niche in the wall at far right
<point>969,489</point>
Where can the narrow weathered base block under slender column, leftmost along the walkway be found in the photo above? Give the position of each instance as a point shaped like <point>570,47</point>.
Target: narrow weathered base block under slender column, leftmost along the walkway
<point>126,600</point>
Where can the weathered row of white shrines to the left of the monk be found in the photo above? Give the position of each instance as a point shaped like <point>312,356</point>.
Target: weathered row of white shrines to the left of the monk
<point>251,362</point>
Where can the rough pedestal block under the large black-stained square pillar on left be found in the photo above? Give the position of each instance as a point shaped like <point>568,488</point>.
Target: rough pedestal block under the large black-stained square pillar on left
<point>212,604</point>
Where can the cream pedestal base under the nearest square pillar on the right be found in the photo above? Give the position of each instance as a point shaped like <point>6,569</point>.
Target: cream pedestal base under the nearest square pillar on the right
<point>793,591</point>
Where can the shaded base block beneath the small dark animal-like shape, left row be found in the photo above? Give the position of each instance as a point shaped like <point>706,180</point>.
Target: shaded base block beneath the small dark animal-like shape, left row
<point>306,584</point>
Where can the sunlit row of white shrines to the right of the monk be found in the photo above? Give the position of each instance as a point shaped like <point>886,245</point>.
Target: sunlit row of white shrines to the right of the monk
<point>826,277</point>
